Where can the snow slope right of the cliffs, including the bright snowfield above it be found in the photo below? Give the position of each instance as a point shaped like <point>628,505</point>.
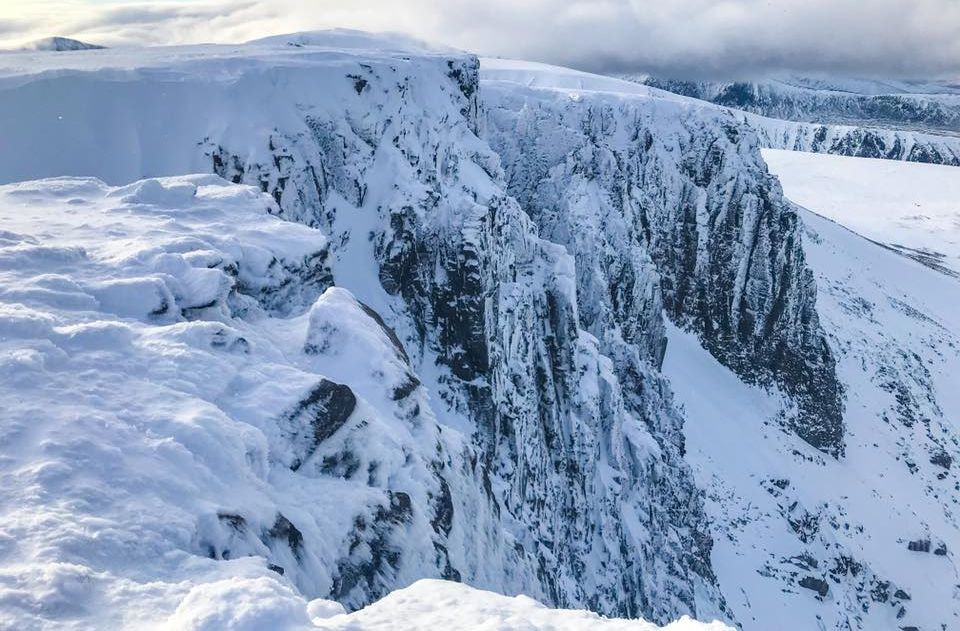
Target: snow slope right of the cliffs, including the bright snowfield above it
<point>894,327</point>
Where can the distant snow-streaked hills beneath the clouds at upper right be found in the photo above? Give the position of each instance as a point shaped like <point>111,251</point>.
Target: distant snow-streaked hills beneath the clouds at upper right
<point>914,121</point>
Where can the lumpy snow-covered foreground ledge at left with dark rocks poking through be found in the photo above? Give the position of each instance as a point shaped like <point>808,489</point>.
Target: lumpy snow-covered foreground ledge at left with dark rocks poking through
<point>165,427</point>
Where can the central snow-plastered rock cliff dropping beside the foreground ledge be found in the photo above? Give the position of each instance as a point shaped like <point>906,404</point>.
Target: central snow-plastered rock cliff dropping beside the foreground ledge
<point>576,448</point>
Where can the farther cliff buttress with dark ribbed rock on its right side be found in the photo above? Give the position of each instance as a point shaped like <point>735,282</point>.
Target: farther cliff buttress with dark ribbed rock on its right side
<point>621,179</point>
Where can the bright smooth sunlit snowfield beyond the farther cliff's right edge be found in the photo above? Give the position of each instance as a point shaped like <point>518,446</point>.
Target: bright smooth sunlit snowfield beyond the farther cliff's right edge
<point>911,206</point>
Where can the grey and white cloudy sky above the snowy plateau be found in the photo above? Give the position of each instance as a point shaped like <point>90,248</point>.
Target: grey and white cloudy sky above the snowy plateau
<point>707,38</point>
